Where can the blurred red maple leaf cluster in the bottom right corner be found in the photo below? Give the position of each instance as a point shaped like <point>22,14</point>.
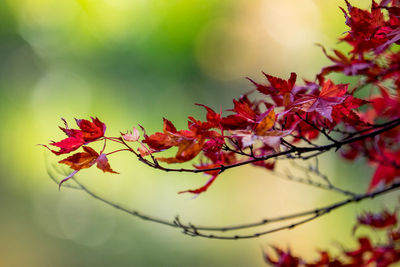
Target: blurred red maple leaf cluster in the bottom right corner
<point>368,252</point>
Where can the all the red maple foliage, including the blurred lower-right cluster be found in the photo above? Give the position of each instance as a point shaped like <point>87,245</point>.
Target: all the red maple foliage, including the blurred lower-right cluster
<point>287,117</point>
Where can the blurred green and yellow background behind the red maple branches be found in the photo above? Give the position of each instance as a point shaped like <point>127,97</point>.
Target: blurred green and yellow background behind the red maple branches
<point>136,61</point>
